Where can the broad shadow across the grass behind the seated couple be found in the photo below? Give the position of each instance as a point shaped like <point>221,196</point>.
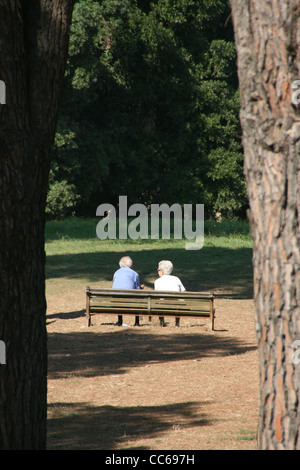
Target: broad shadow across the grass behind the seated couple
<point>227,272</point>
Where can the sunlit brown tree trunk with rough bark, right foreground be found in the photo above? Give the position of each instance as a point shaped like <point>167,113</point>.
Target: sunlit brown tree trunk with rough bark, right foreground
<point>267,38</point>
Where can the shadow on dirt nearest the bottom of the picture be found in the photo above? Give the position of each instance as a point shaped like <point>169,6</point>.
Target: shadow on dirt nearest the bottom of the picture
<point>81,426</point>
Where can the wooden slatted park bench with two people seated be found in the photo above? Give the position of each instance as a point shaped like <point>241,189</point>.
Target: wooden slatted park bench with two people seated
<point>149,302</point>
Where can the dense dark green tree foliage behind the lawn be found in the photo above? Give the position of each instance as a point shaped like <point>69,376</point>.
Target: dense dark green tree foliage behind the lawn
<point>150,108</point>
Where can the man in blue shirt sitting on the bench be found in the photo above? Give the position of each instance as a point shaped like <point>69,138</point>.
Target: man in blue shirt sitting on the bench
<point>126,278</point>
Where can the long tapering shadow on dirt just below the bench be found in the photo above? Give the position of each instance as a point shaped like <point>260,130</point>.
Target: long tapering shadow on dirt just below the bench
<point>89,354</point>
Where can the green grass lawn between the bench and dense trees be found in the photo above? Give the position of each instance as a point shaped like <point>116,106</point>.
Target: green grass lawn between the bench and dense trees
<point>74,254</point>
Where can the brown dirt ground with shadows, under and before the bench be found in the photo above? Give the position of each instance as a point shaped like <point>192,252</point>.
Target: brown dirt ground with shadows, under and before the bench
<point>151,387</point>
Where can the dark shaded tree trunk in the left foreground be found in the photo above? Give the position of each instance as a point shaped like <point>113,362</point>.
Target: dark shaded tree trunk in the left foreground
<point>33,50</point>
